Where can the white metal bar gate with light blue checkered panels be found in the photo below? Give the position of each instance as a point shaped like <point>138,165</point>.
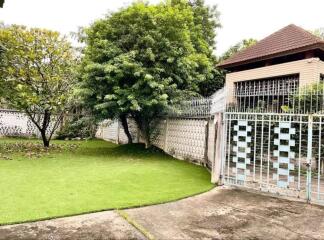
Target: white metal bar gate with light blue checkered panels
<point>278,153</point>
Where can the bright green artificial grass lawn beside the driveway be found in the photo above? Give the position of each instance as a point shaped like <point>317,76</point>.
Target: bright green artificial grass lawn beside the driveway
<point>96,176</point>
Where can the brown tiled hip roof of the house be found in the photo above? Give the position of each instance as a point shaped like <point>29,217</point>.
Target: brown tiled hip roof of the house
<point>288,40</point>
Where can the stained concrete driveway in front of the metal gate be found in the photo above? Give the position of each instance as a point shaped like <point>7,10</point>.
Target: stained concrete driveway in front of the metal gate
<point>219,214</point>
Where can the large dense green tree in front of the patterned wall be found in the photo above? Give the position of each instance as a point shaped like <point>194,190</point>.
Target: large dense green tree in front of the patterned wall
<point>142,59</point>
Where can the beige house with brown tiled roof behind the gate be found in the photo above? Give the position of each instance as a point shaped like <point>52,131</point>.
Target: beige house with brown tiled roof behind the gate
<point>275,67</point>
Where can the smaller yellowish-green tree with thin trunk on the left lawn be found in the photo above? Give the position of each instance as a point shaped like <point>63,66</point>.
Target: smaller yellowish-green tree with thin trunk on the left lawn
<point>37,75</point>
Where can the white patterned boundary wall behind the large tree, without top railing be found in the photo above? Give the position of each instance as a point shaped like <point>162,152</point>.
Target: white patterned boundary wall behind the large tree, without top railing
<point>189,139</point>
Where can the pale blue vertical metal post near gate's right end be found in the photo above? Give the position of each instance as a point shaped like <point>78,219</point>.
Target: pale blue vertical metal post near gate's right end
<point>309,157</point>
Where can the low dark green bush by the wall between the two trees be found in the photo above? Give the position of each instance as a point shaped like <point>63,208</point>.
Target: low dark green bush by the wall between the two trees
<point>78,127</point>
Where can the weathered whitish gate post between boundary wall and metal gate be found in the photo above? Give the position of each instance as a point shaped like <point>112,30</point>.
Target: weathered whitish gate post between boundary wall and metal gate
<point>217,161</point>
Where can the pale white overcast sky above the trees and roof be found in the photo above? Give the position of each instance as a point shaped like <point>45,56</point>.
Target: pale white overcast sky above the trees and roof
<point>240,19</point>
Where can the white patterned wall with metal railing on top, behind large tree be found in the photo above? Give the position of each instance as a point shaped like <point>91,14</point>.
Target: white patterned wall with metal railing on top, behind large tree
<point>189,133</point>
